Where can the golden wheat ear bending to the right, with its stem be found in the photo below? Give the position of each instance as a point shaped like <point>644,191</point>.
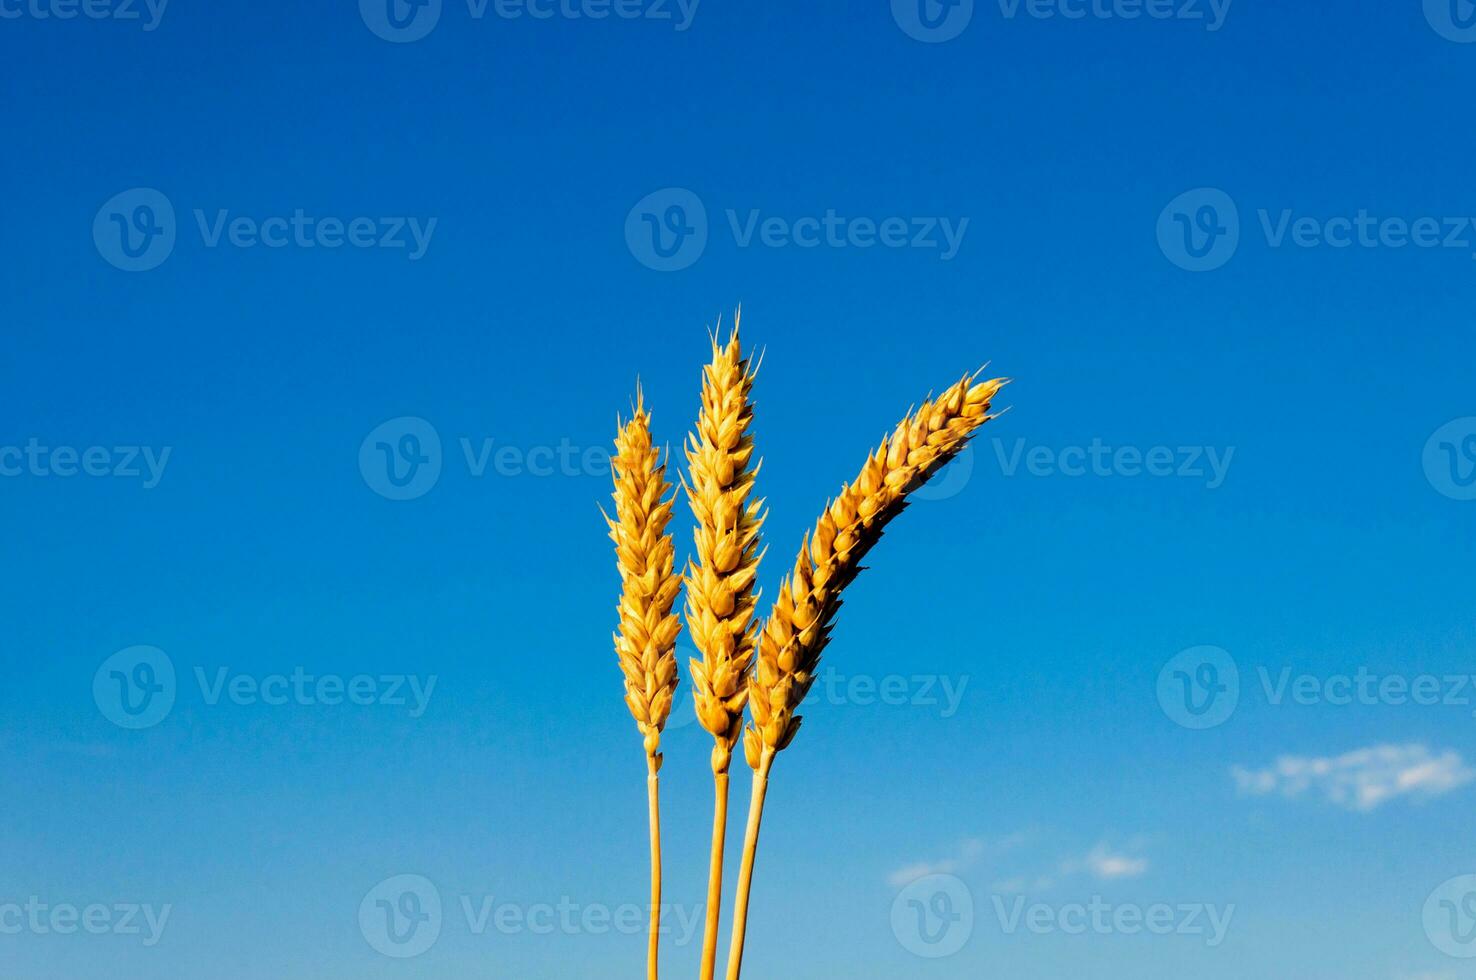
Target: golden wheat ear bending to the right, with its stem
<point>801,624</point>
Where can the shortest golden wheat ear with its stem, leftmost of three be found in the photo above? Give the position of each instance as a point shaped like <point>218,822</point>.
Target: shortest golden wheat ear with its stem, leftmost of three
<point>646,641</point>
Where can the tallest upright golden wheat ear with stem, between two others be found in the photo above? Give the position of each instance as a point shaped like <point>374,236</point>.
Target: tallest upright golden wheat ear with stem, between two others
<point>720,584</point>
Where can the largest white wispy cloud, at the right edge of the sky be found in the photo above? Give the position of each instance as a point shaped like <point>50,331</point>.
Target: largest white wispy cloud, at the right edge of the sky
<point>1362,780</point>
